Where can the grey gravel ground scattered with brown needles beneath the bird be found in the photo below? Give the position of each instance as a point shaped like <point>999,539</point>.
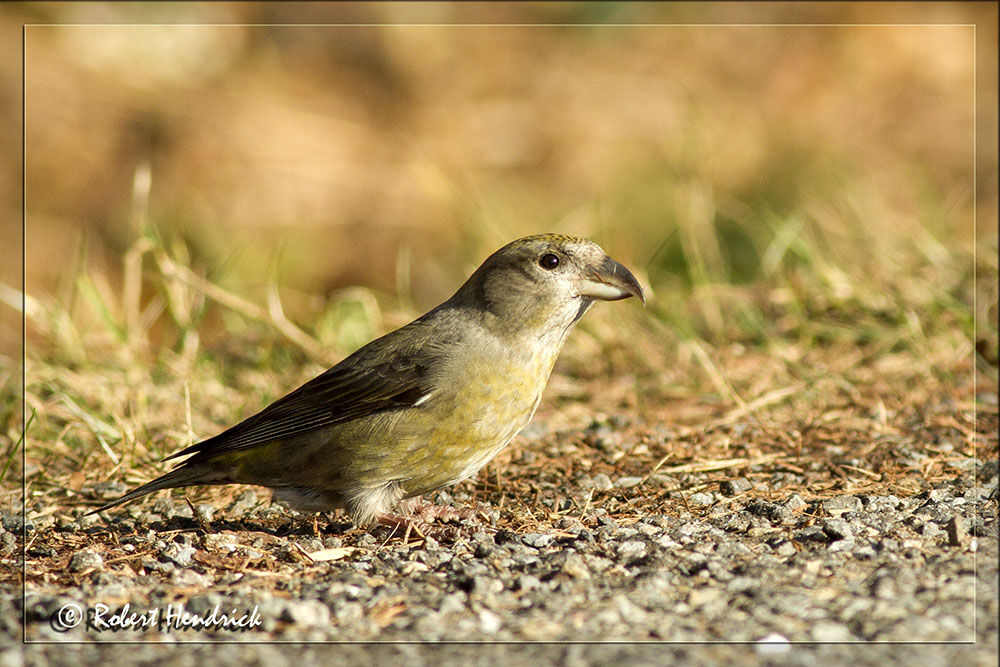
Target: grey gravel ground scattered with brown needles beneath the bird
<point>731,568</point>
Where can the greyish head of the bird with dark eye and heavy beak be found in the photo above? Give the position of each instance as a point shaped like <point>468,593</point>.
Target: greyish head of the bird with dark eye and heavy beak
<point>546,282</point>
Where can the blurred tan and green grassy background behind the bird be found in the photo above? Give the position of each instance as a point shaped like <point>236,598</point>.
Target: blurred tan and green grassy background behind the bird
<point>197,195</point>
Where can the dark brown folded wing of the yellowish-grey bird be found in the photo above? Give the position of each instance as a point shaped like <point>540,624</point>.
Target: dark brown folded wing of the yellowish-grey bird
<point>390,376</point>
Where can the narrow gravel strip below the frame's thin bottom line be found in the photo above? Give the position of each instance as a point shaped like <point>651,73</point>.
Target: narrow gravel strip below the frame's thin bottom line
<point>490,655</point>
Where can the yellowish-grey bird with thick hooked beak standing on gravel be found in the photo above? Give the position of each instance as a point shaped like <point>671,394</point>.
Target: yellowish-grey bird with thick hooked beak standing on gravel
<point>424,406</point>
